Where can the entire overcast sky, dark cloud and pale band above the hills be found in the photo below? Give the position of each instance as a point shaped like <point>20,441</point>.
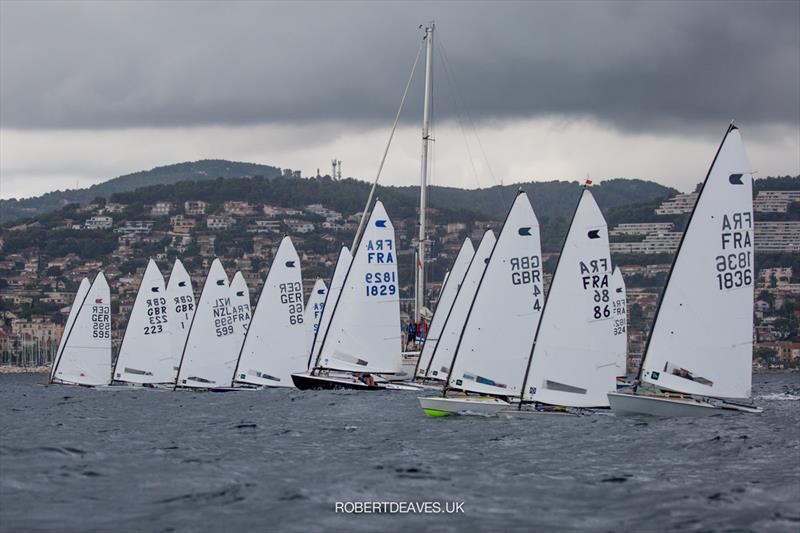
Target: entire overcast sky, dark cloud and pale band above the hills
<point>671,74</point>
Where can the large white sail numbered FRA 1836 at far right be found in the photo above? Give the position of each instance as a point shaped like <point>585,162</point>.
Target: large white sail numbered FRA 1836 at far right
<point>702,337</point>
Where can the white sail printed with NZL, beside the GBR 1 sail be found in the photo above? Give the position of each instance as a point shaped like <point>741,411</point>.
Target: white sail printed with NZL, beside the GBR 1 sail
<point>212,345</point>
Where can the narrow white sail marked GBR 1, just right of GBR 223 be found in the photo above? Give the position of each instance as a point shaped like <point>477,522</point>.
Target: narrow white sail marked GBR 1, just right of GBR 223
<point>180,312</point>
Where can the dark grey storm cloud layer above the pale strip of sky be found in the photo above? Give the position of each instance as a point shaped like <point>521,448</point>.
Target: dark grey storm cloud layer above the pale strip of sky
<point>637,66</point>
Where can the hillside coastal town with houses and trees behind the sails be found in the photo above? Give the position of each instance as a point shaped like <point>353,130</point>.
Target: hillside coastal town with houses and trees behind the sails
<point>38,279</point>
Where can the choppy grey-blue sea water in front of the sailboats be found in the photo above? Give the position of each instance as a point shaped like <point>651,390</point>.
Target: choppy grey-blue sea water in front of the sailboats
<point>84,460</point>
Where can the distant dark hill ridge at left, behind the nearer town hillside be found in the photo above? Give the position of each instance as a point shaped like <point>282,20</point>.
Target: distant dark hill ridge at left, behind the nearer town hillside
<point>14,209</point>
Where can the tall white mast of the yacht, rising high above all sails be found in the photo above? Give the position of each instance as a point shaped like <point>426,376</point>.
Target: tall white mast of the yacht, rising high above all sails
<point>419,295</point>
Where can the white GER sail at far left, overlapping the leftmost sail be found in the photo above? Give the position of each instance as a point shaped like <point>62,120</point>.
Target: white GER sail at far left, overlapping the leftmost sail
<point>86,356</point>
